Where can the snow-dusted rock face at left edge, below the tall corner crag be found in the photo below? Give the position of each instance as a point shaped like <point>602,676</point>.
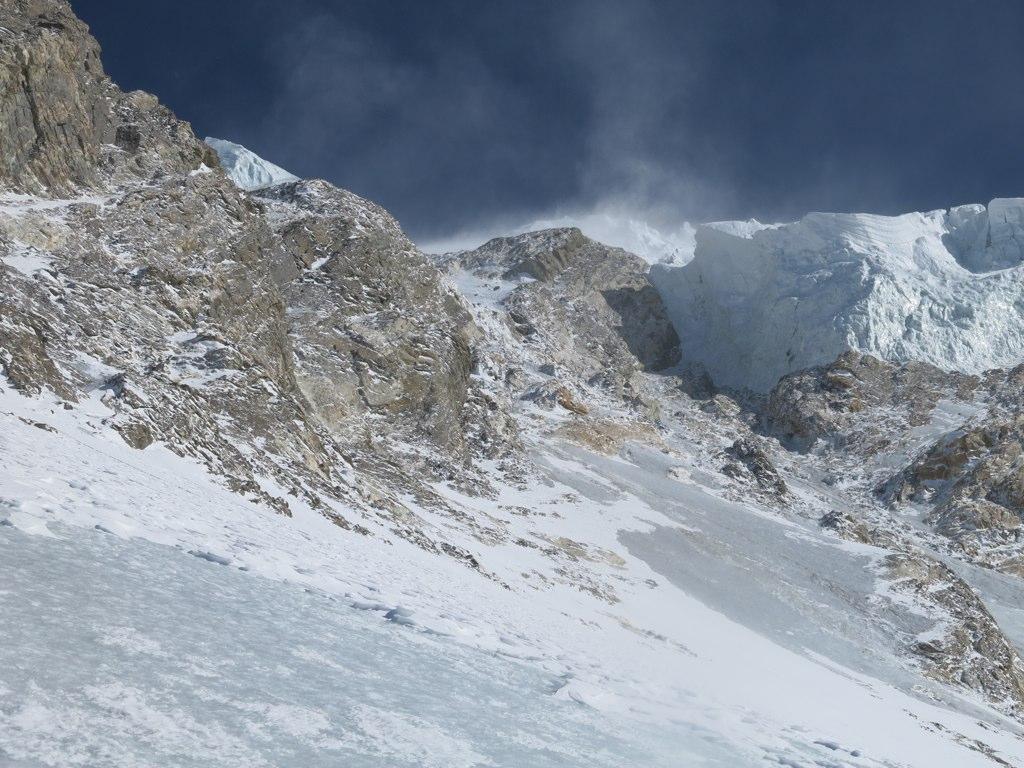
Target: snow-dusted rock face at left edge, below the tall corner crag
<point>162,304</point>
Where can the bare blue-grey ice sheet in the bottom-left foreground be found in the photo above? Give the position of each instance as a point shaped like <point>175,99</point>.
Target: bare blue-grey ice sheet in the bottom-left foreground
<point>130,654</point>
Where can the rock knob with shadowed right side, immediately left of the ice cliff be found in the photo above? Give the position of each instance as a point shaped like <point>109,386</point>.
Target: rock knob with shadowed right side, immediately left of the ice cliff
<point>569,324</point>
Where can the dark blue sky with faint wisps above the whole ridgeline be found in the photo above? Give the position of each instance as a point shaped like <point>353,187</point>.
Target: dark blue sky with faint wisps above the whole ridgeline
<point>465,115</point>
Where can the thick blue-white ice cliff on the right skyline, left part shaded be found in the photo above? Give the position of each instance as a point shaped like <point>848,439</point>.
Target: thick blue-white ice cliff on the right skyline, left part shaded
<point>945,287</point>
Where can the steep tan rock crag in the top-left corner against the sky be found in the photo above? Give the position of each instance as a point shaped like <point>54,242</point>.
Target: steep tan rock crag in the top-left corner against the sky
<point>64,125</point>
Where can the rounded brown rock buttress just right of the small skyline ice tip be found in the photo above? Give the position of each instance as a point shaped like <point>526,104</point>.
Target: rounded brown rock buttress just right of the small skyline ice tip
<point>377,334</point>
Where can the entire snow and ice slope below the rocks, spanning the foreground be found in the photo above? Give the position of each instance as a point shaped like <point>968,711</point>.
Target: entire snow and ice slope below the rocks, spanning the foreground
<point>206,628</point>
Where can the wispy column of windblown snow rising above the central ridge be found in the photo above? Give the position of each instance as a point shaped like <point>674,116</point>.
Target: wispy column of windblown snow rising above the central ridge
<point>622,194</point>
